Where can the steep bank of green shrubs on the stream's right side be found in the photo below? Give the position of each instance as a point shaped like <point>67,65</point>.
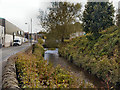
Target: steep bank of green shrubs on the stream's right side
<point>100,57</point>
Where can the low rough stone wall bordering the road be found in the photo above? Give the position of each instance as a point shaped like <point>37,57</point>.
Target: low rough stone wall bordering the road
<point>9,77</point>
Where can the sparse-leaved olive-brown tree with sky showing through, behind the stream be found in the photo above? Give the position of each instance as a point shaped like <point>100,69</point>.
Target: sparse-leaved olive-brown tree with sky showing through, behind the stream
<point>60,17</point>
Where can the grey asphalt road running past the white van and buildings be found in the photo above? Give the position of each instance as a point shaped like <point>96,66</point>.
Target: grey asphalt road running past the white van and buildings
<point>5,53</point>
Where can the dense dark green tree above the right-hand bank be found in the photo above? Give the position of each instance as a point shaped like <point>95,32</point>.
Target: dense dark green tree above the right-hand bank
<point>97,16</point>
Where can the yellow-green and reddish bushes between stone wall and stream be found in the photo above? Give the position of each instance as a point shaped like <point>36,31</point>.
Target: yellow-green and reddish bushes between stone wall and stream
<point>34,72</point>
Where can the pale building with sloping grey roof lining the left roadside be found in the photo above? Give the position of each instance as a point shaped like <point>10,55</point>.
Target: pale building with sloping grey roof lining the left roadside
<point>8,32</point>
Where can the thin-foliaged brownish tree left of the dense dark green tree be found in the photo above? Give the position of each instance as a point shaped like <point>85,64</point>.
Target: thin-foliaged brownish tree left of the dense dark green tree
<point>59,20</point>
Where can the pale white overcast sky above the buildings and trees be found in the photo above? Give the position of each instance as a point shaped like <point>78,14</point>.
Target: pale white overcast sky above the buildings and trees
<point>20,12</point>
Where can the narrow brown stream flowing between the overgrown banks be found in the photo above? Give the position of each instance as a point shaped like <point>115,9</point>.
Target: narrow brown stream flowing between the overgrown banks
<point>52,56</point>
